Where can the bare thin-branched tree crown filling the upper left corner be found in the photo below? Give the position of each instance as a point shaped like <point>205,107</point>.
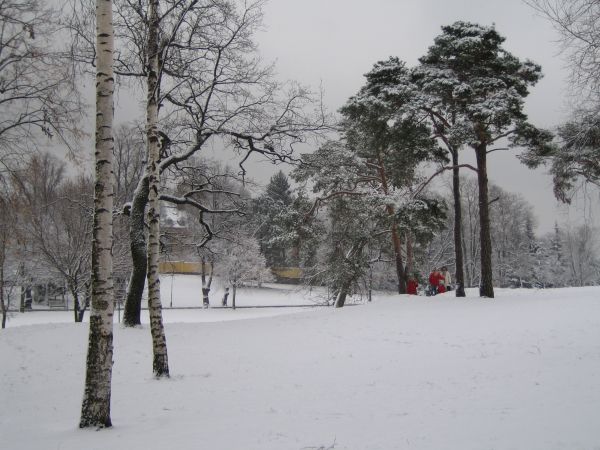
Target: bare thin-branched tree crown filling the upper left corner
<point>37,94</point>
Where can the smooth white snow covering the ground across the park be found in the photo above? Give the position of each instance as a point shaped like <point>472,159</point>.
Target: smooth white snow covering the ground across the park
<point>519,372</point>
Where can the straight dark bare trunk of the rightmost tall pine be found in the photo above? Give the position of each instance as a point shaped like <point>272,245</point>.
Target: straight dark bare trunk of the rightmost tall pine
<point>486,287</point>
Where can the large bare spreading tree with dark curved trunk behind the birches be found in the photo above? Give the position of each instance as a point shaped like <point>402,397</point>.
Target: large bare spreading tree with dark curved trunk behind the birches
<point>212,88</point>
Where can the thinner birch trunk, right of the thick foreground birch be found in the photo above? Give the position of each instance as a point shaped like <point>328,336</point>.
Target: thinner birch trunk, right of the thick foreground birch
<point>160,363</point>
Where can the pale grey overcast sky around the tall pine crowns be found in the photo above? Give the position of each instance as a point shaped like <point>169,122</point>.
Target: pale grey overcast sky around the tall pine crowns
<point>334,42</point>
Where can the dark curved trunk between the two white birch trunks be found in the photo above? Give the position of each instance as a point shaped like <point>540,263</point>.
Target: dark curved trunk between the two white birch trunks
<point>139,257</point>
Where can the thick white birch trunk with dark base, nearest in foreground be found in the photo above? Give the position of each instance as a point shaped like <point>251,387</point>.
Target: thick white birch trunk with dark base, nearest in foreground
<point>95,409</point>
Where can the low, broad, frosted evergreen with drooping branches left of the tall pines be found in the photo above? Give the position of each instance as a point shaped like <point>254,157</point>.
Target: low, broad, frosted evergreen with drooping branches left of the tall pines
<point>360,217</point>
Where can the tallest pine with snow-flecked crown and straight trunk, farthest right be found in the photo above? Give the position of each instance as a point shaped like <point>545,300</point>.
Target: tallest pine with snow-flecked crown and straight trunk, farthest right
<point>489,85</point>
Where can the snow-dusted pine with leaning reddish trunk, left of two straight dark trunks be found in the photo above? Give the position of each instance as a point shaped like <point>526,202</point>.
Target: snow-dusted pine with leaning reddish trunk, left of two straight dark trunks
<point>382,128</point>
